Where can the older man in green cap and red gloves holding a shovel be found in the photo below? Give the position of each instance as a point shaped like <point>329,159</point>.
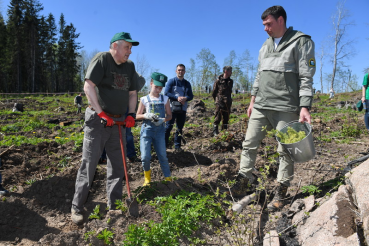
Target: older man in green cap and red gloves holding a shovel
<point>111,88</point>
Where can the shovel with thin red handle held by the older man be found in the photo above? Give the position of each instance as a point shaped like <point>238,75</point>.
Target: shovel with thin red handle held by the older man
<point>130,201</point>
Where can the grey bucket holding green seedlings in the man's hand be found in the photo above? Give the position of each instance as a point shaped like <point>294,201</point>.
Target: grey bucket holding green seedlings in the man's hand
<point>304,149</point>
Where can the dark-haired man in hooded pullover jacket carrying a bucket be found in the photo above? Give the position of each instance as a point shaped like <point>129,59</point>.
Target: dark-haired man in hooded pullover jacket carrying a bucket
<point>282,92</point>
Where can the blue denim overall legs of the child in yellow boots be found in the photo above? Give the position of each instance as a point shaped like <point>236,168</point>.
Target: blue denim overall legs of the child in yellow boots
<point>151,134</point>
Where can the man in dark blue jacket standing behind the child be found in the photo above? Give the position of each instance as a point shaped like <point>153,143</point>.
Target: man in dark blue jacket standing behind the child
<point>179,92</point>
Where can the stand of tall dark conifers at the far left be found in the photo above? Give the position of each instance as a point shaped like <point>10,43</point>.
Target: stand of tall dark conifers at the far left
<point>37,54</point>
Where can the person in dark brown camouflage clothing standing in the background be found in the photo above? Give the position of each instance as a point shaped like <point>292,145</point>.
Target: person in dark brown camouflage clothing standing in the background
<point>222,94</point>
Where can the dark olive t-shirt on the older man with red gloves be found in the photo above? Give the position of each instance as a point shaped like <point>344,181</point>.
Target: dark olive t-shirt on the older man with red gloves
<point>113,82</point>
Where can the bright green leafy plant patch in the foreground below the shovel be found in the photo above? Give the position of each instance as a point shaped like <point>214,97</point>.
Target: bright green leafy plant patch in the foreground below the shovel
<point>182,215</point>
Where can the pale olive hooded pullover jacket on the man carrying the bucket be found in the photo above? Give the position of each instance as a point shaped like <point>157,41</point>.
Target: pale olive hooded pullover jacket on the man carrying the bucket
<point>284,80</point>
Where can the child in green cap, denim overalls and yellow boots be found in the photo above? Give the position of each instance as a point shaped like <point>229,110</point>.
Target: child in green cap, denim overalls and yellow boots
<point>158,111</point>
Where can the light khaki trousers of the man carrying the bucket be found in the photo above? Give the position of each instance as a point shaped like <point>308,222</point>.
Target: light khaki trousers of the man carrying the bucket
<point>254,135</point>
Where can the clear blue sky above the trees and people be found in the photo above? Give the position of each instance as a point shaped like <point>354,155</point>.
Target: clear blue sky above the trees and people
<point>172,32</point>
